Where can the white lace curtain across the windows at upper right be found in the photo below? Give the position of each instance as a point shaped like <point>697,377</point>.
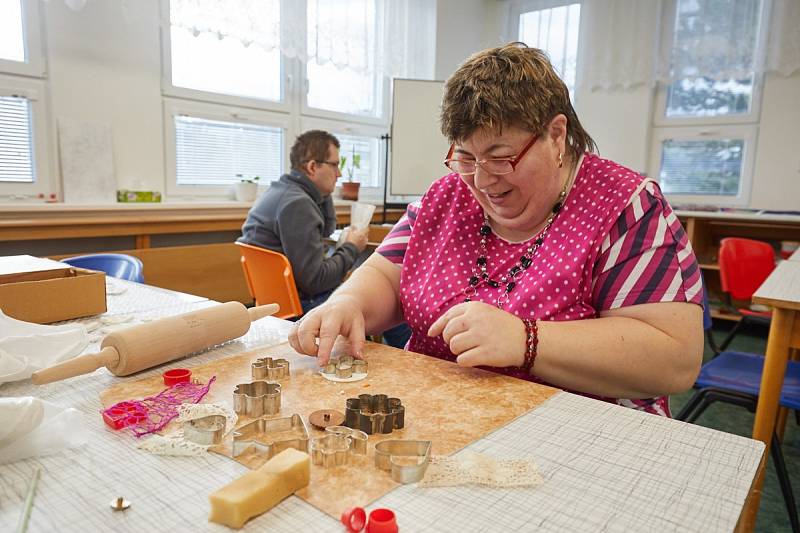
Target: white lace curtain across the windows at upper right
<point>628,43</point>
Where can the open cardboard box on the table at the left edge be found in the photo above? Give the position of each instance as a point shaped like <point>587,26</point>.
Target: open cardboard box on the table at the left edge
<point>42,291</point>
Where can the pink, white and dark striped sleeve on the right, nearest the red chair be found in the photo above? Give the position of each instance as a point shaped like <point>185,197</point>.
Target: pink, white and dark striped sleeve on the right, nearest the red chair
<point>646,257</point>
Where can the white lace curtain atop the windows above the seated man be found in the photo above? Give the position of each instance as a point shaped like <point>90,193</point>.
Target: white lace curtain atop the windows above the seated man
<point>388,37</point>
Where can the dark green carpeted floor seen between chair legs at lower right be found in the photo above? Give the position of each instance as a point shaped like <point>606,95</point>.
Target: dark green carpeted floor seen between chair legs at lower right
<point>772,515</point>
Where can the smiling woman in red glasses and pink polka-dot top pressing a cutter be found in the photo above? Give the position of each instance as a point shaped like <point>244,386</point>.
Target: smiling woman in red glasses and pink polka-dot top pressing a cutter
<point>533,256</point>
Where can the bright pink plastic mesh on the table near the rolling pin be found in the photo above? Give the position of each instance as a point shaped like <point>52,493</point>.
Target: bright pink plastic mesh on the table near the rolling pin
<point>159,409</point>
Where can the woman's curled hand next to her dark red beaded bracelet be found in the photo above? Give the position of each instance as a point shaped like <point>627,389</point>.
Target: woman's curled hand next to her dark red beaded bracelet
<point>481,334</point>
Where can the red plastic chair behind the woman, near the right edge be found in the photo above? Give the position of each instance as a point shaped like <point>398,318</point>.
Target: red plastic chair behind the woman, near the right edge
<point>744,264</point>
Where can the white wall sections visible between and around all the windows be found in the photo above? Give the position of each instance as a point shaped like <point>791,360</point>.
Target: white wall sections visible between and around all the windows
<point>104,65</point>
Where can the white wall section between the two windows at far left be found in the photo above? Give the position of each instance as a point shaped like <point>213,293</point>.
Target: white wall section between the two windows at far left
<point>104,66</point>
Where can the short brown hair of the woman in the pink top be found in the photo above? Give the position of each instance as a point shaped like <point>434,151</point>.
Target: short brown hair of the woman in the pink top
<point>511,85</point>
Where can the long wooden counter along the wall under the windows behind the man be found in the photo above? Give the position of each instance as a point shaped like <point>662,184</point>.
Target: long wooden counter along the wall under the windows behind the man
<point>209,269</point>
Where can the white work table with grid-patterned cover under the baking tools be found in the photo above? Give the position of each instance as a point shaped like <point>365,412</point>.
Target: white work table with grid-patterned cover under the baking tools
<point>606,468</point>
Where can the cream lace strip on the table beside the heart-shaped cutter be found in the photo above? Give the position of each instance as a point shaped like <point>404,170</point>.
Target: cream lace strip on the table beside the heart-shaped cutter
<point>470,468</point>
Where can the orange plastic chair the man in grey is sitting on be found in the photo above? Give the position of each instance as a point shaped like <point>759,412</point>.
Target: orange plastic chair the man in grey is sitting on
<point>270,279</point>
